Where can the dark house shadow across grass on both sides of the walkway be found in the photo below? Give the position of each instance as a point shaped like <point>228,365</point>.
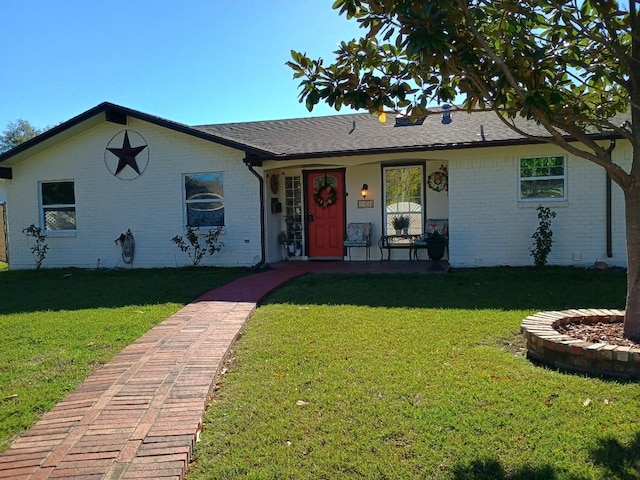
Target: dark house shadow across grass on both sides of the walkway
<point>484,288</point>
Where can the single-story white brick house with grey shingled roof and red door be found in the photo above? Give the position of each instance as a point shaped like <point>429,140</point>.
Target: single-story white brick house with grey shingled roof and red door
<point>269,185</point>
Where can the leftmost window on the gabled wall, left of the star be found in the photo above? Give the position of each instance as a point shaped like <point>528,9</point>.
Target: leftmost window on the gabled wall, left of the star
<point>57,206</point>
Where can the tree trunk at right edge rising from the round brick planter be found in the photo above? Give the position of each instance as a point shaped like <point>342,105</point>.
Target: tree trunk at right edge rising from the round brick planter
<point>632,316</point>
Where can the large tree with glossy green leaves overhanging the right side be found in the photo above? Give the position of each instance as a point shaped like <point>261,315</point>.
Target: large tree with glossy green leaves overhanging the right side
<point>572,66</point>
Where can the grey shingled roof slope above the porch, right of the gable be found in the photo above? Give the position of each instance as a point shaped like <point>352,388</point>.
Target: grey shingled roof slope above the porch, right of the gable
<point>362,133</point>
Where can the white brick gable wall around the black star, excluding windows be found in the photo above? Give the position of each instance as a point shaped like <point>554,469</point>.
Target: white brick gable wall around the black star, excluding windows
<point>150,205</point>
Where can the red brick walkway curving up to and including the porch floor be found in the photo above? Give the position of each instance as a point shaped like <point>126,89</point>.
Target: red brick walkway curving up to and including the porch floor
<point>138,416</point>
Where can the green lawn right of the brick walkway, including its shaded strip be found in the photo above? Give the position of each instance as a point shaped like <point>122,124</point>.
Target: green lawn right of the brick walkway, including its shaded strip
<point>417,377</point>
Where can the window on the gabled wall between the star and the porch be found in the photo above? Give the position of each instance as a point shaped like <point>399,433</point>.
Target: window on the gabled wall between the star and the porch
<point>204,199</point>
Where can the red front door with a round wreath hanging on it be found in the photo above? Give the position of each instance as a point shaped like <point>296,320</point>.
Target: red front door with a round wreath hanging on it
<point>326,211</point>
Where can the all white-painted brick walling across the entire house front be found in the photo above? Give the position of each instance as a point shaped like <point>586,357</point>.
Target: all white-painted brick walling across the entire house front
<point>488,225</point>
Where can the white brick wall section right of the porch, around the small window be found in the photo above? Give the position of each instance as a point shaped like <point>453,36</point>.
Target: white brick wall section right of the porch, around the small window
<point>489,226</point>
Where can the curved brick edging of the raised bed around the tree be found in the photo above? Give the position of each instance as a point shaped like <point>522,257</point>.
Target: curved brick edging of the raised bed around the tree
<point>547,345</point>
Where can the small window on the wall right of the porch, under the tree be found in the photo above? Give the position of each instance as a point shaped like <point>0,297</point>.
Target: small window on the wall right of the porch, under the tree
<point>542,178</point>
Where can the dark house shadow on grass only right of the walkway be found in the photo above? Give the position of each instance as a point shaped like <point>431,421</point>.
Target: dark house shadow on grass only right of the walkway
<point>483,288</point>
